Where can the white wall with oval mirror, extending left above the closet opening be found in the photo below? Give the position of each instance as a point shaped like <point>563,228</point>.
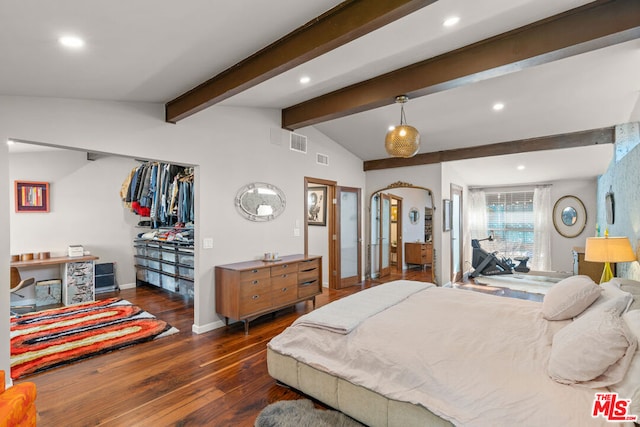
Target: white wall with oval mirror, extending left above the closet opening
<point>230,146</point>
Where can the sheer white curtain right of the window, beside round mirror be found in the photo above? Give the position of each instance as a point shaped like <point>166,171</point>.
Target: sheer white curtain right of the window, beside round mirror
<point>541,259</point>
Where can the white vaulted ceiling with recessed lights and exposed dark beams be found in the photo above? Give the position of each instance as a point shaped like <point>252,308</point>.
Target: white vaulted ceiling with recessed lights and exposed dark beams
<point>560,67</point>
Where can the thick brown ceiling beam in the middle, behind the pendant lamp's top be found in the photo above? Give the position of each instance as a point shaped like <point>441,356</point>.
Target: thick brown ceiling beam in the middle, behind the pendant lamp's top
<point>589,27</point>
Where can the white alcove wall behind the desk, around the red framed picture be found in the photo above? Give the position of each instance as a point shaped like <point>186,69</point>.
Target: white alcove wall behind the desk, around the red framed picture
<point>85,209</point>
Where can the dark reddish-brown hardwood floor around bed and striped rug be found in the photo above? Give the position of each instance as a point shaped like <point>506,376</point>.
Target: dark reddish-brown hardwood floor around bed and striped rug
<point>214,379</point>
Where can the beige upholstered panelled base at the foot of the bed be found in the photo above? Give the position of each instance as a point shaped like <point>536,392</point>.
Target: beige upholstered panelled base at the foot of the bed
<point>366,406</point>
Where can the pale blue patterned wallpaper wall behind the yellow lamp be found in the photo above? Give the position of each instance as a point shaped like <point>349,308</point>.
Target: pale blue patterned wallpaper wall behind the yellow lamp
<point>623,179</point>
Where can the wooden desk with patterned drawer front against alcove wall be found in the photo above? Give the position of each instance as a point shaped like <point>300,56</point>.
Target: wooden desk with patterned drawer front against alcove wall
<point>78,280</point>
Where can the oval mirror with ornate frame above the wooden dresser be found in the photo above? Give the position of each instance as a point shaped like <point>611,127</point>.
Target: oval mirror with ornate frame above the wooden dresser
<point>260,201</point>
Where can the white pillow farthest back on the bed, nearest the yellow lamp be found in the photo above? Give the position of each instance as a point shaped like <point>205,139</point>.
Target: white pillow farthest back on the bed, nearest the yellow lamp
<point>569,297</point>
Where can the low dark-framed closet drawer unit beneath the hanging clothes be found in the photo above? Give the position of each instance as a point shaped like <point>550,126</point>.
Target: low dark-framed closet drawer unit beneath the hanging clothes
<point>166,264</point>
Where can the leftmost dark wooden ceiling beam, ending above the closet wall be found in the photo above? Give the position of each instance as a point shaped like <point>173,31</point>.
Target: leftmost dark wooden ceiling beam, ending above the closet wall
<point>340,25</point>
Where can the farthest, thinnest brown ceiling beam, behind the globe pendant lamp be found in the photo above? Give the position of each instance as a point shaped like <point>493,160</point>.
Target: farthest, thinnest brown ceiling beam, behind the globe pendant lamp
<point>553,142</point>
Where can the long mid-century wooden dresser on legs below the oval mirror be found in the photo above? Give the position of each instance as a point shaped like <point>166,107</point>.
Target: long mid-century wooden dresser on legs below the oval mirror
<point>246,290</point>
